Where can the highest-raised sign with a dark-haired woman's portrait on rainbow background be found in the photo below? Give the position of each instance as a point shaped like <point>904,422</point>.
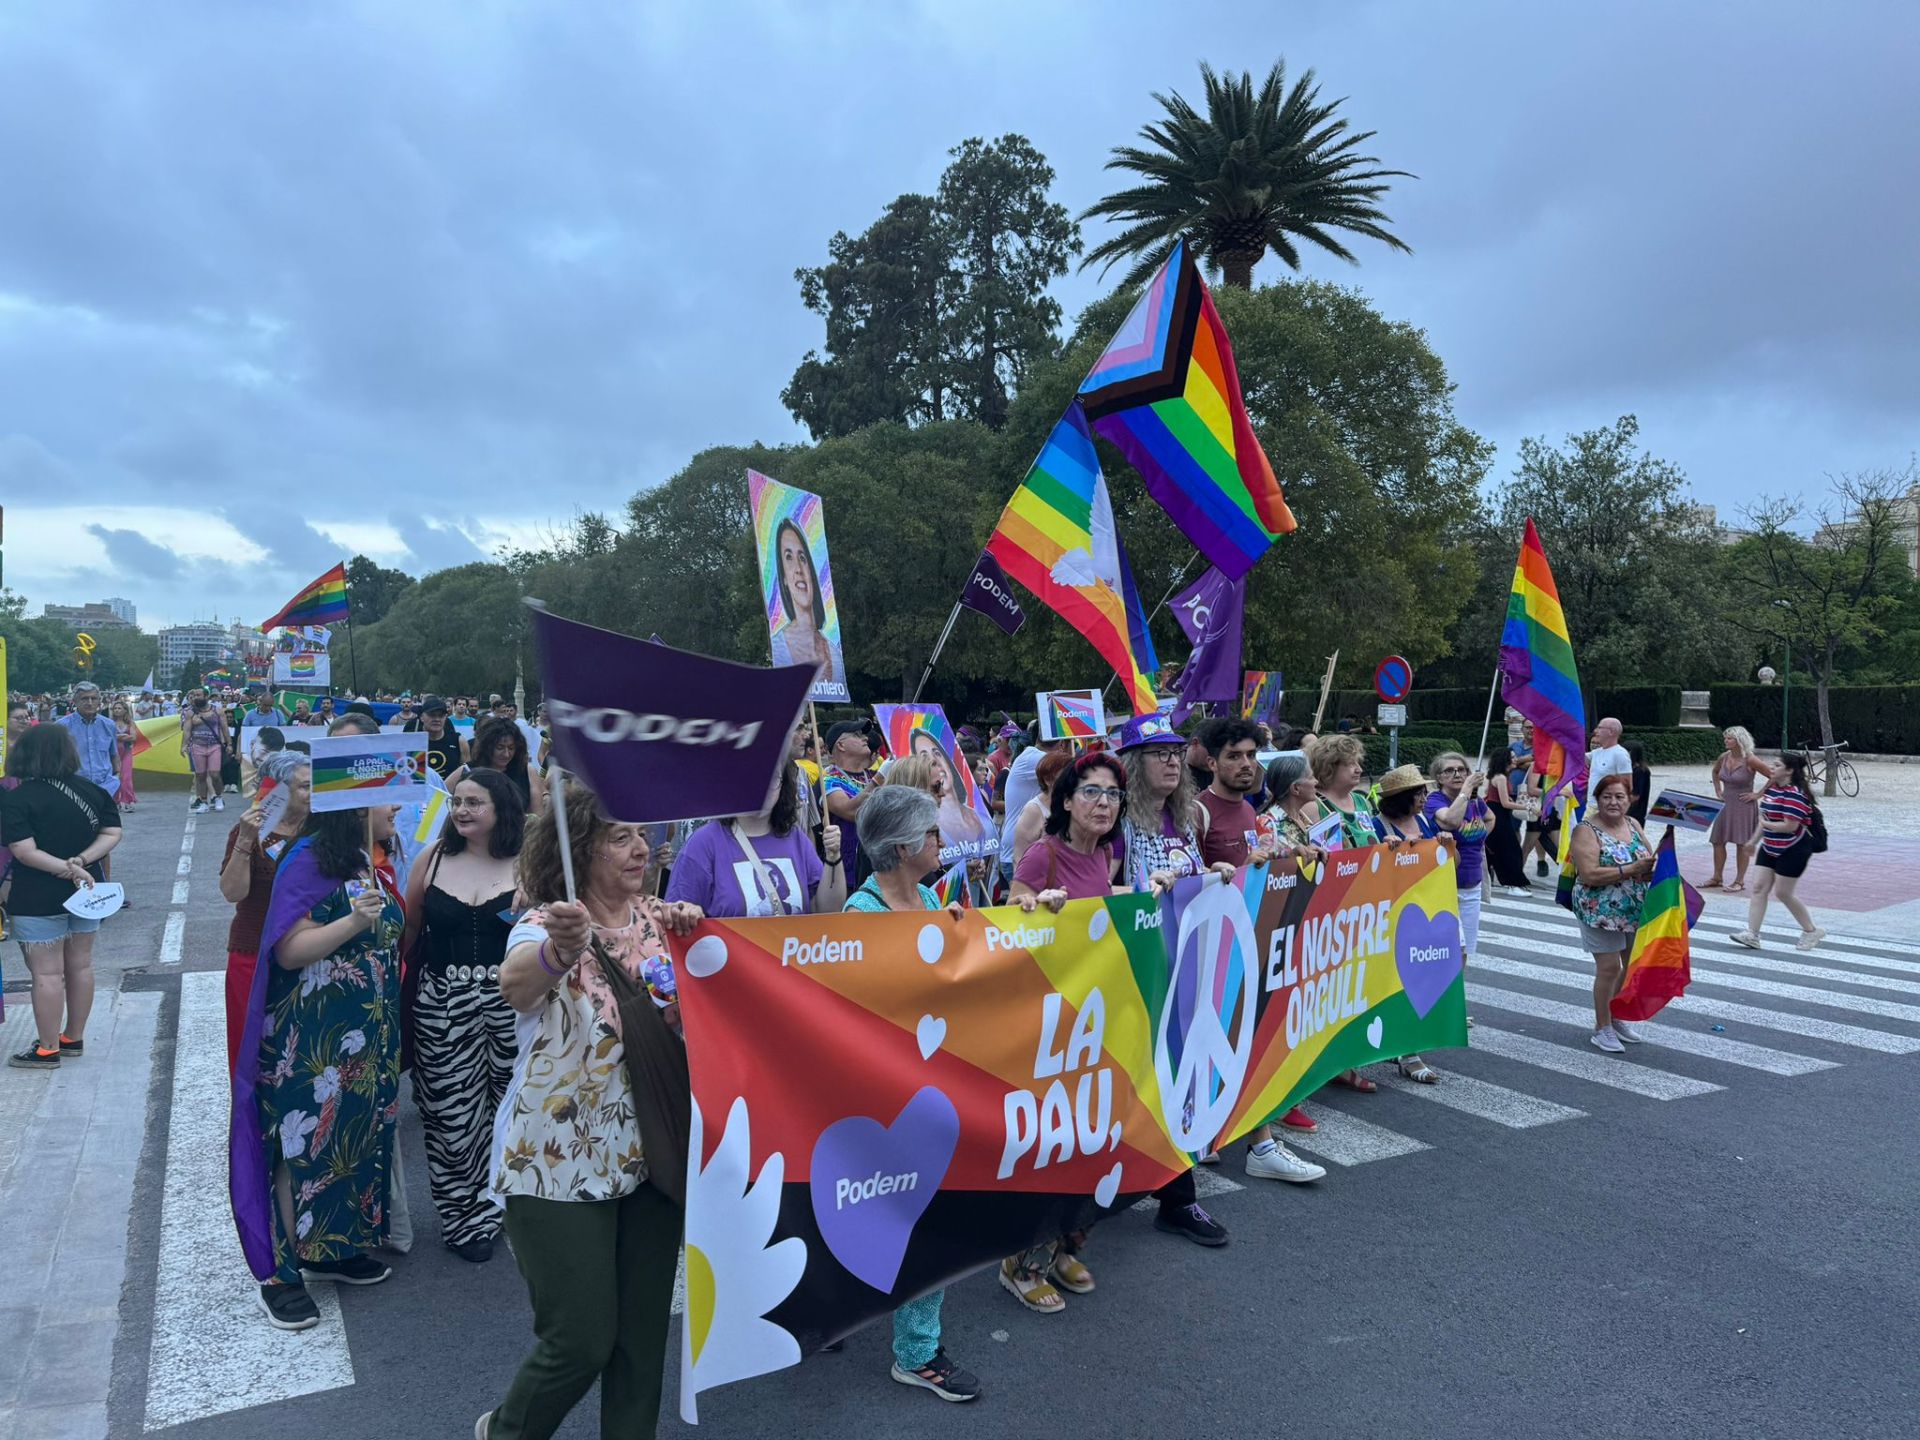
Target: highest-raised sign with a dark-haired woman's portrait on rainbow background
<point>790,535</point>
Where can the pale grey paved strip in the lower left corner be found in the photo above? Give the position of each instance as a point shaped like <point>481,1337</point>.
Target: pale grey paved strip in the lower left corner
<point>66,1189</point>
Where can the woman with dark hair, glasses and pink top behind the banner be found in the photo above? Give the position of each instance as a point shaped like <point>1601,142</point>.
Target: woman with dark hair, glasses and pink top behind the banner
<point>1074,861</point>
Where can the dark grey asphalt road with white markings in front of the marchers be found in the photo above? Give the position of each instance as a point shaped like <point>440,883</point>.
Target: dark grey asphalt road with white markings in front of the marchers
<point>1558,1259</point>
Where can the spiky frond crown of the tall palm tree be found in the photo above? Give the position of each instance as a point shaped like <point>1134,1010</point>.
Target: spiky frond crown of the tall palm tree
<point>1251,176</point>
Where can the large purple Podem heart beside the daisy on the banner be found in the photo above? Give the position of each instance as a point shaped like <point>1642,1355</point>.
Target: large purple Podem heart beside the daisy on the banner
<point>873,1184</point>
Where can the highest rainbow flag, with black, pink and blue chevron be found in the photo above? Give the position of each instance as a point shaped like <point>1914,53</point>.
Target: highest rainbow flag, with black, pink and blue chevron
<point>1168,395</point>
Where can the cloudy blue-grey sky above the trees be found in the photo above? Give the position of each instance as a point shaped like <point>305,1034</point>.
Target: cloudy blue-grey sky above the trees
<point>285,283</point>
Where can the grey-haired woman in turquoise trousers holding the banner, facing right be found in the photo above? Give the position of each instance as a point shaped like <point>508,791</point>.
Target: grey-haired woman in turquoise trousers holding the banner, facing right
<point>901,836</point>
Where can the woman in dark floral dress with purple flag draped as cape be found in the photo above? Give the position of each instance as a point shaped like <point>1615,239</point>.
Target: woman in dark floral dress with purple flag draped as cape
<point>320,1070</point>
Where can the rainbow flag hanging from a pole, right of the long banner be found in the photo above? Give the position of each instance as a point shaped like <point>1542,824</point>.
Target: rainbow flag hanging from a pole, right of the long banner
<point>1539,677</point>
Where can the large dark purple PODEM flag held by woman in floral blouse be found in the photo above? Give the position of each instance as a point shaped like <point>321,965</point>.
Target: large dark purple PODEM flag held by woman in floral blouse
<point>663,734</point>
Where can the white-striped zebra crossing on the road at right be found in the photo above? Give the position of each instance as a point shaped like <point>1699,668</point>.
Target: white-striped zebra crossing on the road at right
<point>1529,1063</point>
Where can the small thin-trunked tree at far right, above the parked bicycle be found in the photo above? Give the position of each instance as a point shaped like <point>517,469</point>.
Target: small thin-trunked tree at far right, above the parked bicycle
<point>1833,594</point>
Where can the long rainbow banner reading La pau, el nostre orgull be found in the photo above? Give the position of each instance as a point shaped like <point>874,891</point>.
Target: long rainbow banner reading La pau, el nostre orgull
<point>884,1103</point>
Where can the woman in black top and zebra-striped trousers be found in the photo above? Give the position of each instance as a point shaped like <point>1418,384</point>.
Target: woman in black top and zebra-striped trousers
<point>460,903</point>
